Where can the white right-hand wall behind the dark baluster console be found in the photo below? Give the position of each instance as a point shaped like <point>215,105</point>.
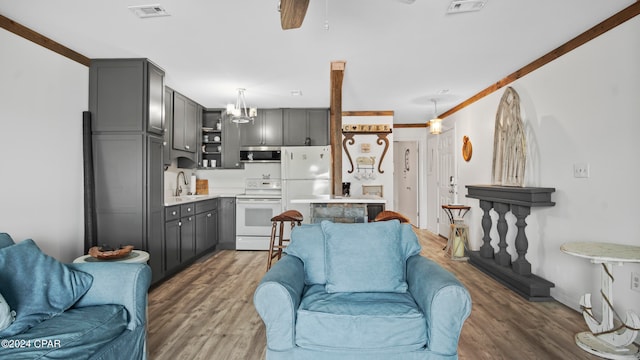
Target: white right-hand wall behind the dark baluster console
<point>582,108</point>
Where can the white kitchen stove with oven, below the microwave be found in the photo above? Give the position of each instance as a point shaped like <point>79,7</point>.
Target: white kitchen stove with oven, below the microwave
<point>261,201</point>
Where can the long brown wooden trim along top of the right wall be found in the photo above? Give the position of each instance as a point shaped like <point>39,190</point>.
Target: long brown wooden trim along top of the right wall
<point>622,16</point>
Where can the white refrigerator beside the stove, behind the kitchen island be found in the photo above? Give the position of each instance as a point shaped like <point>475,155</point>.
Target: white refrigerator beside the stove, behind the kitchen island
<point>305,173</point>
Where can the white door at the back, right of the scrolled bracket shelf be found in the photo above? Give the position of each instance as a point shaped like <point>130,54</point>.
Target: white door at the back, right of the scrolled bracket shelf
<point>405,181</point>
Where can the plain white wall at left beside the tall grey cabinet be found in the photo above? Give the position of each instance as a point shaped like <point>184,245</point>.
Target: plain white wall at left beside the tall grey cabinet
<point>42,96</point>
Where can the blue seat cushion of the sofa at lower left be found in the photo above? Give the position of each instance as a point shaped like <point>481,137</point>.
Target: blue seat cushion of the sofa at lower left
<point>75,334</point>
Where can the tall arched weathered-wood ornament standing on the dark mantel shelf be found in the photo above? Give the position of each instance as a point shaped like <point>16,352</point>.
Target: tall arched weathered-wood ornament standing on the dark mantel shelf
<point>509,143</point>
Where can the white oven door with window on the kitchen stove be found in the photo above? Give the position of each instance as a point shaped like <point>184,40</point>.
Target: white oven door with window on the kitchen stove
<point>253,216</point>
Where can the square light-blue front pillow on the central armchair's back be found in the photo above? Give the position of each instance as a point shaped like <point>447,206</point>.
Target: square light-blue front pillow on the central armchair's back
<point>364,257</point>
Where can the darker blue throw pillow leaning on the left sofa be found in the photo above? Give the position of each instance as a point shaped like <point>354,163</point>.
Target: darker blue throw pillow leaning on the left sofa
<point>36,285</point>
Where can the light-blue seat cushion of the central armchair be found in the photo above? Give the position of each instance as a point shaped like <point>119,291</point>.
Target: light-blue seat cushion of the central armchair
<point>385,322</point>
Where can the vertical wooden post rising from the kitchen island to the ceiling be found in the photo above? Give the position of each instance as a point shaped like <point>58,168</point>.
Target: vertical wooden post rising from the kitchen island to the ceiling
<point>335,124</point>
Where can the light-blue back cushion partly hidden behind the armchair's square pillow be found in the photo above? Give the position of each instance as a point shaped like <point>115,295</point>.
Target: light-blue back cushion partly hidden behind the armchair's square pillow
<point>307,244</point>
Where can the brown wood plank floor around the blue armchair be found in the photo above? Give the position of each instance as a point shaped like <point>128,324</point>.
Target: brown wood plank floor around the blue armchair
<point>206,312</point>
